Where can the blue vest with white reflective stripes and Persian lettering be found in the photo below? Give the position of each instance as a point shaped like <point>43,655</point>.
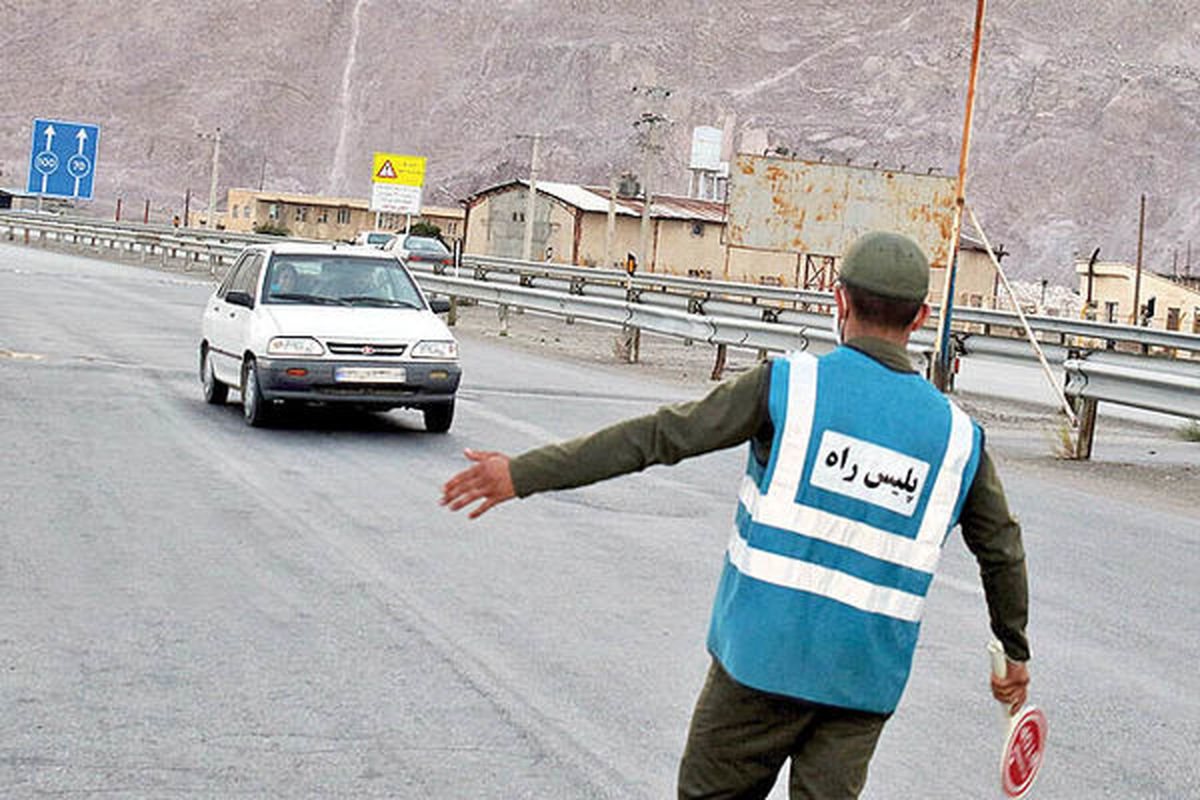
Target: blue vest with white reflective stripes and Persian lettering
<point>839,534</point>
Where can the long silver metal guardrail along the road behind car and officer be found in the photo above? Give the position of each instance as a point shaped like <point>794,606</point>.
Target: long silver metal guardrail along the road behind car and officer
<point>722,314</point>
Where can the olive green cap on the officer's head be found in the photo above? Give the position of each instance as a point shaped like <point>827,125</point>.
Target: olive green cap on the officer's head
<point>887,264</point>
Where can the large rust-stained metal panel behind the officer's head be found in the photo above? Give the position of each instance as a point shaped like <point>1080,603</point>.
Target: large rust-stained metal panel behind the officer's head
<point>801,207</point>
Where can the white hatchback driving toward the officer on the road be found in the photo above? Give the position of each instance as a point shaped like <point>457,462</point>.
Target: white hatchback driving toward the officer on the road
<point>331,324</point>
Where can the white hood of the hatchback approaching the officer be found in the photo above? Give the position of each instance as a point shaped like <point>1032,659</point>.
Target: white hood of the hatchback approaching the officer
<point>361,323</point>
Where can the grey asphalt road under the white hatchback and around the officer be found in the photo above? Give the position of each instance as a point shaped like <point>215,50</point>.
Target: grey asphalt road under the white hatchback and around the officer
<point>194,609</point>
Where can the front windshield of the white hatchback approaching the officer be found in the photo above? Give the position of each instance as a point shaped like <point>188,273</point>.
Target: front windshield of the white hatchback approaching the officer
<point>339,280</point>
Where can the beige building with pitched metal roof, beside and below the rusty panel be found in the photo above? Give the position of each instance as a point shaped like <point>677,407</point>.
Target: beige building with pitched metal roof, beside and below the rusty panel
<point>688,238</point>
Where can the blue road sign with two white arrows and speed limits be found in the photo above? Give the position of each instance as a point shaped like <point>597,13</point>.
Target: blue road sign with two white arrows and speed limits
<point>63,160</point>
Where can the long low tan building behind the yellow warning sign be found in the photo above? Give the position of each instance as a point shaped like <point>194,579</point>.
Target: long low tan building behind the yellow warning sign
<point>314,216</point>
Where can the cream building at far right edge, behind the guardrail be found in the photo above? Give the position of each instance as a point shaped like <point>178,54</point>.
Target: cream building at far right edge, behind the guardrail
<point>1177,299</point>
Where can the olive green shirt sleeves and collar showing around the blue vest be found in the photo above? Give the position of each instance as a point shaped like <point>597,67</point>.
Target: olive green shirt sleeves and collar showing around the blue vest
<point>736,412</point>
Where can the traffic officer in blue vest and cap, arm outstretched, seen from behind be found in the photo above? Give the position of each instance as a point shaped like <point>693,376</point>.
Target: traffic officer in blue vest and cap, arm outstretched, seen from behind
<point>857,472</point>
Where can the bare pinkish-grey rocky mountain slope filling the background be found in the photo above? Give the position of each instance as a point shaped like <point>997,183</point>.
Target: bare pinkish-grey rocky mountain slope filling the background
<point>1083,106</point>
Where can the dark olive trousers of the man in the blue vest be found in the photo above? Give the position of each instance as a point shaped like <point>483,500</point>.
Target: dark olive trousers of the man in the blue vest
<point>740,739</point>
